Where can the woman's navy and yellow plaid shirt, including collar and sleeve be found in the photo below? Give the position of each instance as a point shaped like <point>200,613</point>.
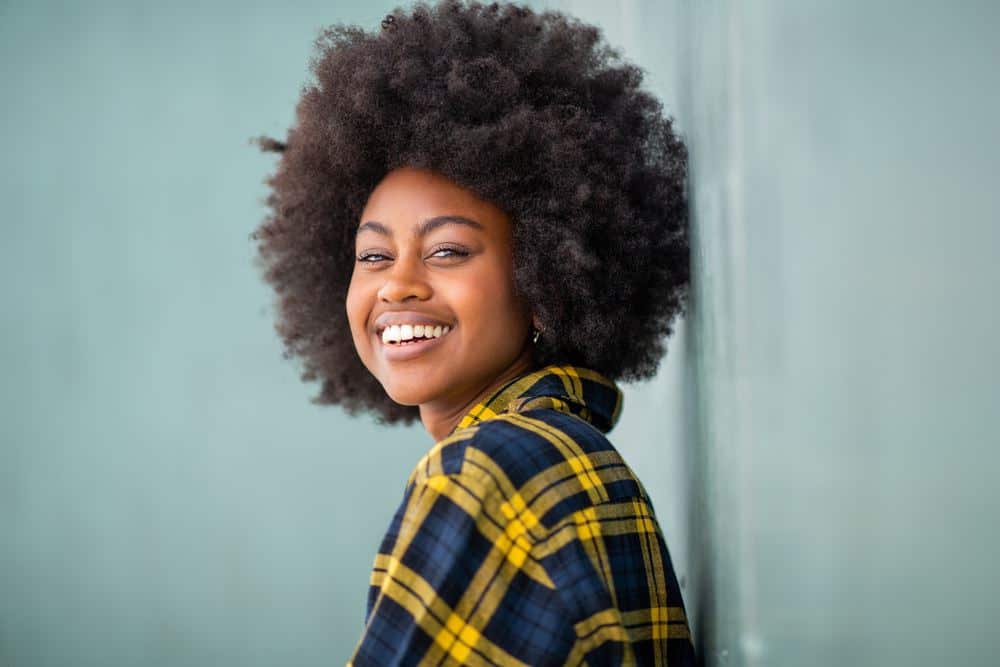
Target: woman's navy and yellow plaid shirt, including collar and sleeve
<point>523,538</point>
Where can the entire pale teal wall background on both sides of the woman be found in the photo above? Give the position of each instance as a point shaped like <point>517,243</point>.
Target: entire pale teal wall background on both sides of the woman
<point>825,458</point>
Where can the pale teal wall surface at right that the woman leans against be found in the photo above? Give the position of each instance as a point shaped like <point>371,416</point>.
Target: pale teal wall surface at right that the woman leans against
<point>841,348</point>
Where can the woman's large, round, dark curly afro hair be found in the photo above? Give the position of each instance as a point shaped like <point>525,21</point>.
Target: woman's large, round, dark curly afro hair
<point>529,110</point>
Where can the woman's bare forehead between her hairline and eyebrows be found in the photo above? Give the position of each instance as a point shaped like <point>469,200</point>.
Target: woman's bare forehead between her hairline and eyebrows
<point>407,197</point>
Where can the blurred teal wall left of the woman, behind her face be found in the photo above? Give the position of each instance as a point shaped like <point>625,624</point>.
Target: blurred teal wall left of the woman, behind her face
<point>168,495</point>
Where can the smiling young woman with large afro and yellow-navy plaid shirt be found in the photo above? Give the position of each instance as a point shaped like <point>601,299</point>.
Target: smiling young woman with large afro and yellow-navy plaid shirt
<point>485,200</point>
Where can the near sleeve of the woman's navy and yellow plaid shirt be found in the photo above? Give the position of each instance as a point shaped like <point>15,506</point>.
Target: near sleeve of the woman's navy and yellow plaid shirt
<point>455,583</point>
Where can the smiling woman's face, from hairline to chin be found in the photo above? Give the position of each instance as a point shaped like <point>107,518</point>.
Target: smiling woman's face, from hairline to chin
<point>431,303</point>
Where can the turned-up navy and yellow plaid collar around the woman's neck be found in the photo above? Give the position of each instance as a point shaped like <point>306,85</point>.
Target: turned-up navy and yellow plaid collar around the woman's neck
<point>572,389</point>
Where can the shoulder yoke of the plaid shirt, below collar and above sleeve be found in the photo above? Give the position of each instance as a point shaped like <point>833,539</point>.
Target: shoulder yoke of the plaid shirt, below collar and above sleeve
<point>547,461</point>
